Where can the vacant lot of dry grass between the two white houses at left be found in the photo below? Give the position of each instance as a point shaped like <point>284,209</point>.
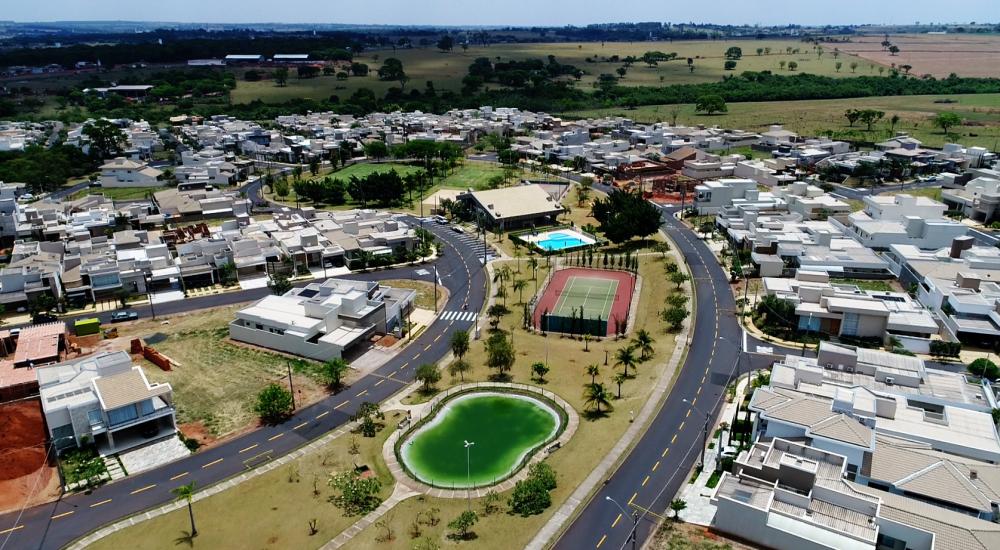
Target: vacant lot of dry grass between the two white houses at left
<point>216,381</point>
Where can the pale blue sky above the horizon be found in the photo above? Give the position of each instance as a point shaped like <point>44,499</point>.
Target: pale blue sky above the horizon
<point>501,12</point>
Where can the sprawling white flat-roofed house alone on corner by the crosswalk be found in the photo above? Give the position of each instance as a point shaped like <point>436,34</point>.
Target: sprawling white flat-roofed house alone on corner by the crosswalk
<point>323,321</point>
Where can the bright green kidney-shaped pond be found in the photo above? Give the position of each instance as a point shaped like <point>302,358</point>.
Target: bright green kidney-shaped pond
<point>503,429</point>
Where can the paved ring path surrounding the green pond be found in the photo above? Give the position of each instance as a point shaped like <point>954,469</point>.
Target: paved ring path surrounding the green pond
<point>417,411</point>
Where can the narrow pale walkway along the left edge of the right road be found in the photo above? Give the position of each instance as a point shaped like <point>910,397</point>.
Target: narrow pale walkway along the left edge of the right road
<point>602,471</point>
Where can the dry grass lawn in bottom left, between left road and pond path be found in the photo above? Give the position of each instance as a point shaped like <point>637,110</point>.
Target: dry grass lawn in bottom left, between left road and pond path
<point>269,511</point>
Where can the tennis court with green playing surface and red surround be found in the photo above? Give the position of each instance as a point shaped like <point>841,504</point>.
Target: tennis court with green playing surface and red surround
<point>584,300</point>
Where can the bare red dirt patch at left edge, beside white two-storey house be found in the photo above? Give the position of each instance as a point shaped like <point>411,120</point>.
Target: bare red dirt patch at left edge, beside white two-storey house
<point>24,470</point>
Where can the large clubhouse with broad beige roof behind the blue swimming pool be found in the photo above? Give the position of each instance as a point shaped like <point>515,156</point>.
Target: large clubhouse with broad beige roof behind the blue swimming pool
<point>515,207</point>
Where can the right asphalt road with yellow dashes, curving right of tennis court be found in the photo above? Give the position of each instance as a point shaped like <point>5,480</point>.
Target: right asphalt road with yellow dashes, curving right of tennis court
<point>658,464</point>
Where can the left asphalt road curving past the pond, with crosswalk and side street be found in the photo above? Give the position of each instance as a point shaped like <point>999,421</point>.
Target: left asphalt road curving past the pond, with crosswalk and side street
<point>54,525</point>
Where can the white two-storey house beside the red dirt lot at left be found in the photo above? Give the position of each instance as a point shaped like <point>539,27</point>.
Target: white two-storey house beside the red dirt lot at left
<point>106,400</point>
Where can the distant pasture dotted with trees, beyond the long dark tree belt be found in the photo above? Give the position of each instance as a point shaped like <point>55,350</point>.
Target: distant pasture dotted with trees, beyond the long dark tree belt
<point>447,69</point>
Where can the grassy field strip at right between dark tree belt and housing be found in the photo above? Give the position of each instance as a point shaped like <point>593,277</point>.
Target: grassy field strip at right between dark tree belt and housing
<point>980,111</point>
